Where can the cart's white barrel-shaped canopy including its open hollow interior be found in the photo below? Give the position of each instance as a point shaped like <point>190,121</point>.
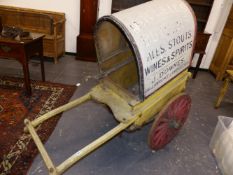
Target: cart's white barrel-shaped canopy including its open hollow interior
<point>157,36</point>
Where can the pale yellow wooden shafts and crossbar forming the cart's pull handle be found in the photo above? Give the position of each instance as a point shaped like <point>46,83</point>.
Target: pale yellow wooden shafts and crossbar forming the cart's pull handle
<point>30,127</point>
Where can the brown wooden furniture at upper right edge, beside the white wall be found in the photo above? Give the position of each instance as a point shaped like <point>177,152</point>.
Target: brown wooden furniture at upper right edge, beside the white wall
<point>223,58</point>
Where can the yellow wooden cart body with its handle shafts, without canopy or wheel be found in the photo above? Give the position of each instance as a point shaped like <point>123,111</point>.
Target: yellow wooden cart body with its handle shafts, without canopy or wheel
<point>133,114</point>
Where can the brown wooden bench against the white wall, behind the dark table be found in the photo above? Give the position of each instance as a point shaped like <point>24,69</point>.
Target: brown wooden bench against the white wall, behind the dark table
<point>52,24</point>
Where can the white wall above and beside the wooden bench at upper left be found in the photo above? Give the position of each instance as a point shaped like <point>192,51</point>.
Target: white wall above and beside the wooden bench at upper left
<point>71,8</point>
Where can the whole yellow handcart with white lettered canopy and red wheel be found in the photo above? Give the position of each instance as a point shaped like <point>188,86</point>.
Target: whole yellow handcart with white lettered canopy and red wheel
<point>143,71</point>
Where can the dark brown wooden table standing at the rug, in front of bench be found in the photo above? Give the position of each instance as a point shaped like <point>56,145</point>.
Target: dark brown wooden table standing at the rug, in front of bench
<point>21,50</point>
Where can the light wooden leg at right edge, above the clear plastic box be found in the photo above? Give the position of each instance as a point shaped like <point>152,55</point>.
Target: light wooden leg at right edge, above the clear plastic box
<point>224,88</point>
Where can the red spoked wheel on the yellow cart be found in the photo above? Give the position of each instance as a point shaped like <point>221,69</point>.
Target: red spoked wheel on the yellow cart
<point>169,121</point>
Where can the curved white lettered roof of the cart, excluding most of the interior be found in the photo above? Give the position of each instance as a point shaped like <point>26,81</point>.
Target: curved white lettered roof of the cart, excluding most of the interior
<point>161,36</point>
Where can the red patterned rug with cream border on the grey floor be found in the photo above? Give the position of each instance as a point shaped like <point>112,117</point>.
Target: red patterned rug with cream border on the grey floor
<point>17,150</point>
